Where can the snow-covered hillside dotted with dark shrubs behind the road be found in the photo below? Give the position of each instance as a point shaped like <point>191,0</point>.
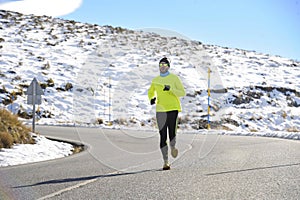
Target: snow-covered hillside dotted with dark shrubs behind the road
<point>92,75</point>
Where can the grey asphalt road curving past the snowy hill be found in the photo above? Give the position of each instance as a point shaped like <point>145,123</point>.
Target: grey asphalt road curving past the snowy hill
<point>123,164</point>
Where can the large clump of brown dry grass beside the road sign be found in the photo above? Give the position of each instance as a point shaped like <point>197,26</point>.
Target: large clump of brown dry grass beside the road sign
<point>13,131</point>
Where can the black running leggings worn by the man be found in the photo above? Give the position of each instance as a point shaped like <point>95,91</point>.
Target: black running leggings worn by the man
<point>167,121</point>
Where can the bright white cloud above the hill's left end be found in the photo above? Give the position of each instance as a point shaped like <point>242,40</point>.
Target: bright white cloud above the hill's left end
<point>54,8</point>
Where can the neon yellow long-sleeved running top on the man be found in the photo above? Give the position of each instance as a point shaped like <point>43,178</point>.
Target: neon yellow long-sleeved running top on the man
<point>166,100</point>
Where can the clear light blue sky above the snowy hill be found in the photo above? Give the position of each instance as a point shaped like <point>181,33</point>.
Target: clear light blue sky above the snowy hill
<point>266,26</point>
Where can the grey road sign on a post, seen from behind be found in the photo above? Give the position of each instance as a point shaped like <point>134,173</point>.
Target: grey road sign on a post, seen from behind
<point>34,93</point>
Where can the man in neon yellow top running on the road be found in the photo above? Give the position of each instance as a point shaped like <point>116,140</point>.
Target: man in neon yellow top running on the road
<point>165,91</point>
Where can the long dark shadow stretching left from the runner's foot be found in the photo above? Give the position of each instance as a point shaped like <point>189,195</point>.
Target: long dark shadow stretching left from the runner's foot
<point>67,180</point>
